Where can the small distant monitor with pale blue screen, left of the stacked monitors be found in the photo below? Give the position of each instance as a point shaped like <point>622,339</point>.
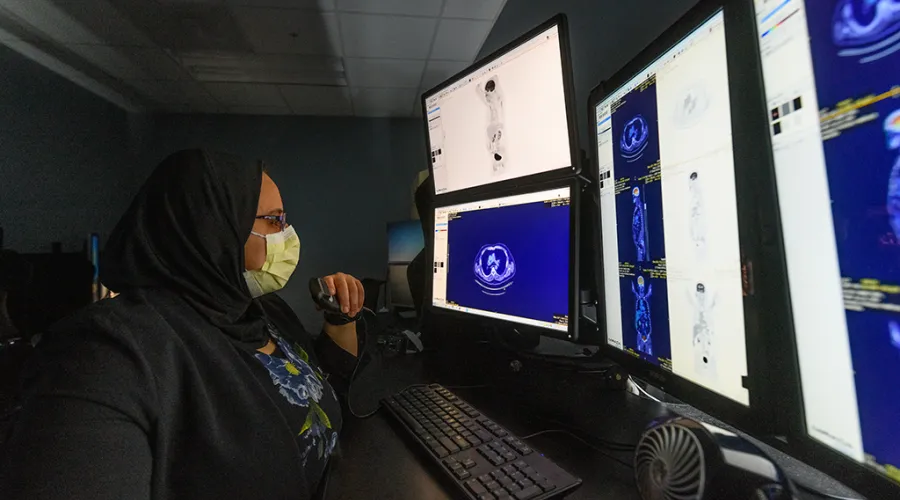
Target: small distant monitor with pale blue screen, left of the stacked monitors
<point>405,241</point>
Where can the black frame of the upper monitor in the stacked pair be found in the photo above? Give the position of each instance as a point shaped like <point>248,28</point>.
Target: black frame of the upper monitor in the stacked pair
<point>568,90</point>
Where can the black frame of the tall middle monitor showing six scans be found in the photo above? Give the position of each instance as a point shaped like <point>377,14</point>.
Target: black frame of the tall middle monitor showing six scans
<point>749,132</point>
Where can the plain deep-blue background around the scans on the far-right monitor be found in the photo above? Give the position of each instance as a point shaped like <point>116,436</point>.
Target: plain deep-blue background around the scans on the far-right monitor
<point>859,165</point>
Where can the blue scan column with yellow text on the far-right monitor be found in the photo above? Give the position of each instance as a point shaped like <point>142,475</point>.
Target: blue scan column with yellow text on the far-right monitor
<point>856,60</point>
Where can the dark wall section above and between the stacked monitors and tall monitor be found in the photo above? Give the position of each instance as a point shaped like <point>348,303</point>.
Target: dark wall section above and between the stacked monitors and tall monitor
<point>605,35</point>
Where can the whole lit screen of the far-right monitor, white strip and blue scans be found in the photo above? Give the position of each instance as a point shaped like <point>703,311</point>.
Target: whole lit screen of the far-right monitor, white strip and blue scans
<point>832,85</point>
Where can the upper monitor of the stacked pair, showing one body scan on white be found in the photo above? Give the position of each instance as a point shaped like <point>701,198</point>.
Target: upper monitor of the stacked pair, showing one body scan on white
<point>508,116</point>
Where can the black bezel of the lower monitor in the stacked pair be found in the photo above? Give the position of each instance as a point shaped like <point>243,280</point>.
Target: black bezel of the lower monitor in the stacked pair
<point>574,186</point>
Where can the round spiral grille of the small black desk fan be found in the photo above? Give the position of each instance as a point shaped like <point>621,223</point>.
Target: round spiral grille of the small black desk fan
<point>669,464</point>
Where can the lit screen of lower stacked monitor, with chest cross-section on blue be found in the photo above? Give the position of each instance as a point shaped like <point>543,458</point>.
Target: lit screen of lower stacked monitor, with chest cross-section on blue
<point>506,258</point>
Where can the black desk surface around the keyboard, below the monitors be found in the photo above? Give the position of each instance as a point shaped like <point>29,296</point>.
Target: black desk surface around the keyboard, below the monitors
<point>378,461</point>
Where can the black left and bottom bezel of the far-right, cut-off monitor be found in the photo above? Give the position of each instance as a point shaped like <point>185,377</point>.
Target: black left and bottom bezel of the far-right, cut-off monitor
<point>779,322</point>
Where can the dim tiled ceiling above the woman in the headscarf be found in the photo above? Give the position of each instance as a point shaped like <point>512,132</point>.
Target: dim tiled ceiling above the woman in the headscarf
<point>271,57</point>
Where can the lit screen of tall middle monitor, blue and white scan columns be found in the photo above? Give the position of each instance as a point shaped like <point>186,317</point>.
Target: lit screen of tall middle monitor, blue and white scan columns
<point>669,225</point>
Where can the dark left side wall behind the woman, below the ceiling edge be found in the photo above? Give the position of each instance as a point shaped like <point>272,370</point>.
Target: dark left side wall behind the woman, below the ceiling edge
<point>66,163</point>
